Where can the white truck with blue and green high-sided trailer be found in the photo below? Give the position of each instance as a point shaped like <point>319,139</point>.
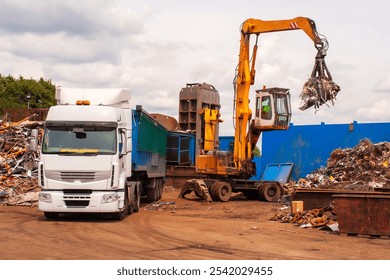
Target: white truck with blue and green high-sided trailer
<point>98,155</point>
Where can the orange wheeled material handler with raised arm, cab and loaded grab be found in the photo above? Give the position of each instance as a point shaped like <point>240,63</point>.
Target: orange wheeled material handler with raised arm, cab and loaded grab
<point>228,172</point>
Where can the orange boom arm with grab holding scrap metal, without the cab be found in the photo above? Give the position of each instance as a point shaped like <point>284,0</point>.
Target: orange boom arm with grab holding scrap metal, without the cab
<point>318,90</point>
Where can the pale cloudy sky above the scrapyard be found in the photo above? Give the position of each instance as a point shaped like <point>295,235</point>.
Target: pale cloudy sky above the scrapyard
<point>156,47</point>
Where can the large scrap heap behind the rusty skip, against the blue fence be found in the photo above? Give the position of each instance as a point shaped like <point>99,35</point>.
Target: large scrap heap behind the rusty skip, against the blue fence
<point>364,167</point>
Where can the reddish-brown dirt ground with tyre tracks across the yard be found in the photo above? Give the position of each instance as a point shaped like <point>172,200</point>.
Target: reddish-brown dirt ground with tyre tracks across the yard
<point>185,229</point>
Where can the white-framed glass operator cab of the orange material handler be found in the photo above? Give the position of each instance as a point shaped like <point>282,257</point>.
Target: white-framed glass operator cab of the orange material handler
<point>273,109</point>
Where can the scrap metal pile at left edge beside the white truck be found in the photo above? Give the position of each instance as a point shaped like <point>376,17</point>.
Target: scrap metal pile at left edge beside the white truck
<point>18,182</point>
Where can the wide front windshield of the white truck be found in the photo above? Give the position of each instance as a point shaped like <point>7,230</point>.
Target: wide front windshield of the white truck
<point>86,140</point>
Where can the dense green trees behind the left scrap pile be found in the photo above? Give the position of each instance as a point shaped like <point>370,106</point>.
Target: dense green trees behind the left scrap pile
<point>24,93</point>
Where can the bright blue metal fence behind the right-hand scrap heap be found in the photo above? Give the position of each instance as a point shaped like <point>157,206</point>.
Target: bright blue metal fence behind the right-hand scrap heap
<point>308,147</point>
